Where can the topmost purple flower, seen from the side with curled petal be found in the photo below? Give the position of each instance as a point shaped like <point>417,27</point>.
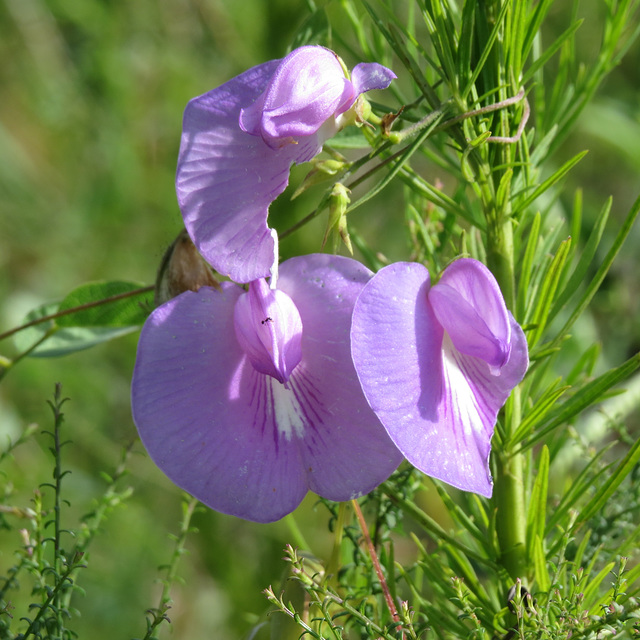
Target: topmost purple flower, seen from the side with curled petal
<point>240,140</point>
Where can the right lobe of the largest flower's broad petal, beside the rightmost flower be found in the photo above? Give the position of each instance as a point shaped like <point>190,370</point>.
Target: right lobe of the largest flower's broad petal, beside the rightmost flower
<point>349,452</point>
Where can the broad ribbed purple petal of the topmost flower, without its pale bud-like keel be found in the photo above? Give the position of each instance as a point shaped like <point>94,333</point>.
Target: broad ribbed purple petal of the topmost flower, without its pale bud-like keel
<point>226,178</point>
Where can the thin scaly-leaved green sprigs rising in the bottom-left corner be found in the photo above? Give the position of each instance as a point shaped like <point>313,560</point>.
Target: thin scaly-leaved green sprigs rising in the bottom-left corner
<point>52,555</point>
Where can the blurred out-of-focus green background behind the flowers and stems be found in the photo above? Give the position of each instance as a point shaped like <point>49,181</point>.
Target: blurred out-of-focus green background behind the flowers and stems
<point>91,100</point>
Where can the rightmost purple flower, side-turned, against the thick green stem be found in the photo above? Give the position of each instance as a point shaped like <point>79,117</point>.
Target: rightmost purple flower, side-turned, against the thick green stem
<point>437,363</point>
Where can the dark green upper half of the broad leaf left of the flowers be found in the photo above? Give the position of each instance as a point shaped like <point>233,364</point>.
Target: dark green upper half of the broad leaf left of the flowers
<point>119,312</point>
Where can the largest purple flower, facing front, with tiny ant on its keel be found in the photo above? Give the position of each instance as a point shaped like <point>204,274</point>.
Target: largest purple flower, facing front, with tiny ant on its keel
<point>248,399</point>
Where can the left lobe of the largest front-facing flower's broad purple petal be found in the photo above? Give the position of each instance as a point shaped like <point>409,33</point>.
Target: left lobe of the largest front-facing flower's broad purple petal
<point>203,411</point>
